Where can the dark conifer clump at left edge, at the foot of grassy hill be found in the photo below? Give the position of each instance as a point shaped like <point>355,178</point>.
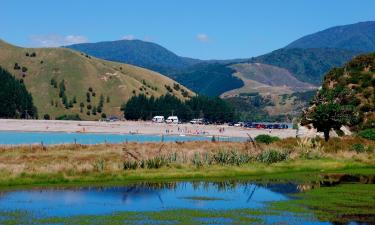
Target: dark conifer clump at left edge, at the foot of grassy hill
<point>15,100</point>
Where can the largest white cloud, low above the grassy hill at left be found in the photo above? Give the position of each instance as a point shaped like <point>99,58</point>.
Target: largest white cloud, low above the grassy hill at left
<point>55,40</point>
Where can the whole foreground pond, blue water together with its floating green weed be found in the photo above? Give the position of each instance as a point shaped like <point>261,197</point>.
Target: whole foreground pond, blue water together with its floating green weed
<point>158,203</point>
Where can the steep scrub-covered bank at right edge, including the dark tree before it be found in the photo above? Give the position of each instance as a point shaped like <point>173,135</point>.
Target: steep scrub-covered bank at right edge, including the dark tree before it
<point>347,97</point>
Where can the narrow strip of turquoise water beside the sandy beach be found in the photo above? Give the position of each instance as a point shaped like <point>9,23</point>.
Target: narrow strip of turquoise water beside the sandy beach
<point>17,138</point>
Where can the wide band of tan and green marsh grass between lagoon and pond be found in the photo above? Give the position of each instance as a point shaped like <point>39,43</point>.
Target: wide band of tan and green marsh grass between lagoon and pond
<point>117,162</point>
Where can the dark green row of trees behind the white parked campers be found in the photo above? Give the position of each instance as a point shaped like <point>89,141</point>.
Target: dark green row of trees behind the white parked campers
<point>213,109</point>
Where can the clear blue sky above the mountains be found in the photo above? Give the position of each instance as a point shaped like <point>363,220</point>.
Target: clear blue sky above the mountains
<point>206,29</point>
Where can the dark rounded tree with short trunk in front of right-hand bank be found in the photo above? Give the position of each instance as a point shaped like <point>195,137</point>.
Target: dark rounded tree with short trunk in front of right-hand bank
<point>331,109</point>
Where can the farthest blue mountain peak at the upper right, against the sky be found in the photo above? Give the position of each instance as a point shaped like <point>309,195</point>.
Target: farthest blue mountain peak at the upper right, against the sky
<point>354,37</point>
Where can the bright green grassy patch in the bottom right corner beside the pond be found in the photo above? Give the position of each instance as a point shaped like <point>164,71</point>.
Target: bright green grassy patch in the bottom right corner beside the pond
<point>343,203</point>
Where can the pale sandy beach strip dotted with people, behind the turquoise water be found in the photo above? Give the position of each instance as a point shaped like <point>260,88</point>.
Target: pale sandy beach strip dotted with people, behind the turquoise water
<point>126,127</point>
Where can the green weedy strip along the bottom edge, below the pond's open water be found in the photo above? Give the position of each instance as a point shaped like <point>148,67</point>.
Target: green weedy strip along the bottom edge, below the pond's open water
<point>177,216</point>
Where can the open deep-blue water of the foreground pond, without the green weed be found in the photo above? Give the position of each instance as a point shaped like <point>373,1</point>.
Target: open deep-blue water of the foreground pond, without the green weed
<point>150,197</point>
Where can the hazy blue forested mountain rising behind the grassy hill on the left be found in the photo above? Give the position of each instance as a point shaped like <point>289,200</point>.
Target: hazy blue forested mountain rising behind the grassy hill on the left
<point>136,52</point>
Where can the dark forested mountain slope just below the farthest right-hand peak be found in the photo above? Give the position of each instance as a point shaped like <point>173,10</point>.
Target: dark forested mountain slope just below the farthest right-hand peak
<point>307,65</point>
